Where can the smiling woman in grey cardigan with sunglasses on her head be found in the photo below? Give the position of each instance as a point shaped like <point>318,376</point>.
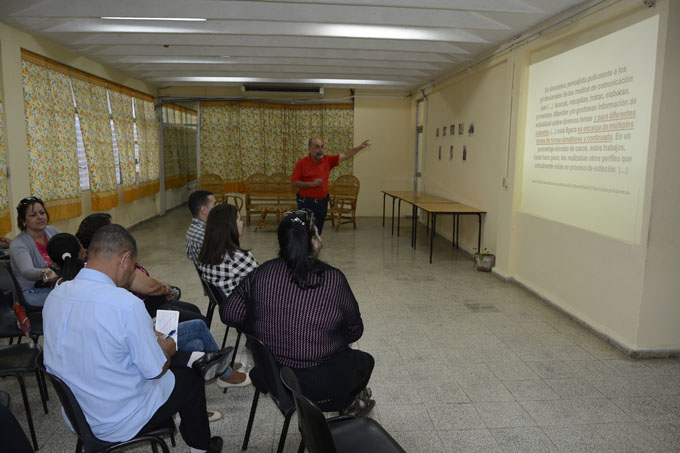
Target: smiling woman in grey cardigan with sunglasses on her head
<point>28,253</point>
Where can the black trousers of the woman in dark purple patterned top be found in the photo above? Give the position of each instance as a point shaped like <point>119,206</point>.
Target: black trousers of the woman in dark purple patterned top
<point>334,384</point>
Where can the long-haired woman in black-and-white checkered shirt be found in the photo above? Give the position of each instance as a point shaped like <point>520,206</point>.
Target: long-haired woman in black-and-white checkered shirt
<point>222,261</point>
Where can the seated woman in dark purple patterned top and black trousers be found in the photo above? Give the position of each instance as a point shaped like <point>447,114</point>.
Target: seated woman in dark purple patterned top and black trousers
<point>305,312</point>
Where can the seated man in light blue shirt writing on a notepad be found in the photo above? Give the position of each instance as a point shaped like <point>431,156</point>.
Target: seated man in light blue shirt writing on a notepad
<point>100,340</point>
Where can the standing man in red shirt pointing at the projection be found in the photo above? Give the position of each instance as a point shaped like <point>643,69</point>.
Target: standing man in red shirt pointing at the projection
<point>310,177</point>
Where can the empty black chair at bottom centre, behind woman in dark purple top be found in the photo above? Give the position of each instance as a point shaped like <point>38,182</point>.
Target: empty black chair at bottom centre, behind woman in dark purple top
<point>337,434</point>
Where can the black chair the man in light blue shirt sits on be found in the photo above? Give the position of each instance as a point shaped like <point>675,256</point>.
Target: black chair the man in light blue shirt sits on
<point>88,440</point>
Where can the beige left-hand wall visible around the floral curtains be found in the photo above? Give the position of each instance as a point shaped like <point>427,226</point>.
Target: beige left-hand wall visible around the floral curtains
<point>11,43</point>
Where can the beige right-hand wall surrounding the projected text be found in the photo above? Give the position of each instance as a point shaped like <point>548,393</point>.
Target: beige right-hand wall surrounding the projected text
<point>626,291</point>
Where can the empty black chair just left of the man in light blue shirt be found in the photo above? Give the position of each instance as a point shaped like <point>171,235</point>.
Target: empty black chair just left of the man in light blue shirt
<point>17,360</point>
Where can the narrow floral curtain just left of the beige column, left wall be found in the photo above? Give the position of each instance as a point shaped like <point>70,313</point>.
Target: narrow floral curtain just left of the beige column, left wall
<point>148,143</point>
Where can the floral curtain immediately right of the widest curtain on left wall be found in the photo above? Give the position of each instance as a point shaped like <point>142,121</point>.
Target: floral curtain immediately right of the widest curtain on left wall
<point>96,130</point>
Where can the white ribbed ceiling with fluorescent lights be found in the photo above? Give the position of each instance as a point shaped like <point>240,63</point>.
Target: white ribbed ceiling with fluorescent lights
<point>379,44</point>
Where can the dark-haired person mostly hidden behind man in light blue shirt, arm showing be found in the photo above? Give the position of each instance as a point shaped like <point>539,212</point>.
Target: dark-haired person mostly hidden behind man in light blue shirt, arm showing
<point>157,295</point>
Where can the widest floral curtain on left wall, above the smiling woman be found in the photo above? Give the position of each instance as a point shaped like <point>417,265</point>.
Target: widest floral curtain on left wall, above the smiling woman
<point>51,137</point>
